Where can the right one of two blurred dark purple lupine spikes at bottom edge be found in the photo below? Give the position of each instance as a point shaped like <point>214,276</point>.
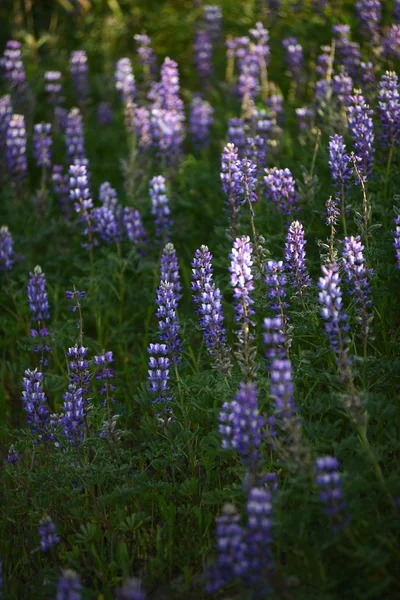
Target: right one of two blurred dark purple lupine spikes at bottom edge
<point>258,535</point>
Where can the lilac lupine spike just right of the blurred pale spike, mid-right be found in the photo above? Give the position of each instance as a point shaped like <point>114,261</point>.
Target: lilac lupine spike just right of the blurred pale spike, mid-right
<point>357,277</point>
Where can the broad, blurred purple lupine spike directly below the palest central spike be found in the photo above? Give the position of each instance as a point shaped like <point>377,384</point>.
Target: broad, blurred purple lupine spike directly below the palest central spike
<point>241,425</point>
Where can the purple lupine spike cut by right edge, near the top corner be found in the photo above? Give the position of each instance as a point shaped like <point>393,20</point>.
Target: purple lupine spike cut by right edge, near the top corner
<point>389,108</point>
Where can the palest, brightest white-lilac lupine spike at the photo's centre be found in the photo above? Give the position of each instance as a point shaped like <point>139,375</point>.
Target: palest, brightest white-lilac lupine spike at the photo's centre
<point>242,279</point>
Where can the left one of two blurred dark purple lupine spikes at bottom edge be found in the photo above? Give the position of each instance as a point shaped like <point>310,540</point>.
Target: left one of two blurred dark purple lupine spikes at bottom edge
<point>231,547</point>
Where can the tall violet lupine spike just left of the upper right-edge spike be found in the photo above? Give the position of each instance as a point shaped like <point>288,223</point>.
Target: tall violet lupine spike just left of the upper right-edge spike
<point>359,118</point>
